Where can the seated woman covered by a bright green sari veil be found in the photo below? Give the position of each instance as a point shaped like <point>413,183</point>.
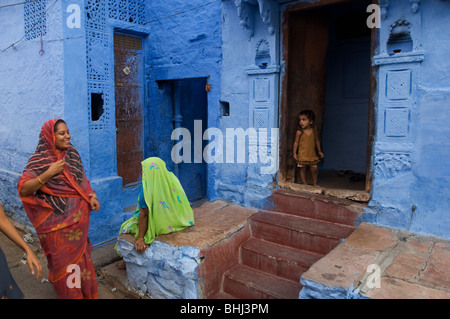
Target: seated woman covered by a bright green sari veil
<point>162,205</point>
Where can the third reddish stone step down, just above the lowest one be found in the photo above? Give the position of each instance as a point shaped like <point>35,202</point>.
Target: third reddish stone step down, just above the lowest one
<point>275,259</point>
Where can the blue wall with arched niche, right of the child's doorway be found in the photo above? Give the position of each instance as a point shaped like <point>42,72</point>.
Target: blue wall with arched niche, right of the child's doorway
<point>411,176</point>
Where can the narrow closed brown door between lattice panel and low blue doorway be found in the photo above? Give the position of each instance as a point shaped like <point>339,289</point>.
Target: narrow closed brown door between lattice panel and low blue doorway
<point>129,97</point>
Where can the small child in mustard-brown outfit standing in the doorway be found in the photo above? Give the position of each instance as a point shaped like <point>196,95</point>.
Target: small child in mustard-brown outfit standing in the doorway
<point>307,149</point>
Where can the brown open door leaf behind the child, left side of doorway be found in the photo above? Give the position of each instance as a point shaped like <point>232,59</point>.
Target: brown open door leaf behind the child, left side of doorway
<point>307,75</point>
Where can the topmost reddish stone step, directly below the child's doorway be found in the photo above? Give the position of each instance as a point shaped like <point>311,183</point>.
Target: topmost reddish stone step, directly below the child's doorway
<point>317,206</point>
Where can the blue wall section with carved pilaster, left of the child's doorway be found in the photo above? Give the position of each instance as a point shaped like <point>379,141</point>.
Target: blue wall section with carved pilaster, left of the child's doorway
<point>252,95</point>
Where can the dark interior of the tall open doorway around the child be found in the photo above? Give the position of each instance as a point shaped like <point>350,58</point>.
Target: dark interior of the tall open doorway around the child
<point>329,71</point>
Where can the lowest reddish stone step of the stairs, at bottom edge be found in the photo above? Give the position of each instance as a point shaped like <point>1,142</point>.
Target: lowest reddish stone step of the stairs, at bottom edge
<point>248,283</point>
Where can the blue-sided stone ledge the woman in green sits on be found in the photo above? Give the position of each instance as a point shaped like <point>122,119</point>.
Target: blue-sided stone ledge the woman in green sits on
<point>168,269</point>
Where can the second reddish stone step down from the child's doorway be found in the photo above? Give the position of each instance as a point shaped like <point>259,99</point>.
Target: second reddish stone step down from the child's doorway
<point>298,232</point>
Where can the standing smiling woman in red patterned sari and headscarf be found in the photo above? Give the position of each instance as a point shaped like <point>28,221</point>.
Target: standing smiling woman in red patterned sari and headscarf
<point>58,199</point>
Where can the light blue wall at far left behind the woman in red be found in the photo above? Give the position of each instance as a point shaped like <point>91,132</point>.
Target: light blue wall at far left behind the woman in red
<point>31,92</point>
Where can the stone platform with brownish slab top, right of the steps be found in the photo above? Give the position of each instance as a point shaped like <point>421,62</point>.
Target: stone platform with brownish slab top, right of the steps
<point>381,263</point>
